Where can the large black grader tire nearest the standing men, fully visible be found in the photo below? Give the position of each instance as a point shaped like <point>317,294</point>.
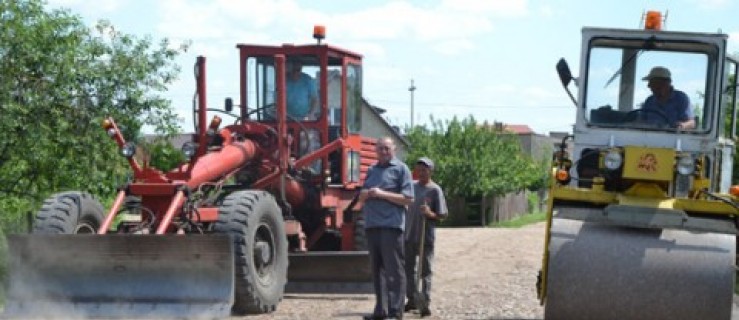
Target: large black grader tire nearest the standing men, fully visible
<point>255,224</point>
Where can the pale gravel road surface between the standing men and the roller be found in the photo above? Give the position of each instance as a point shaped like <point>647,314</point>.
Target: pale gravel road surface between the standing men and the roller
<point>479,273</point>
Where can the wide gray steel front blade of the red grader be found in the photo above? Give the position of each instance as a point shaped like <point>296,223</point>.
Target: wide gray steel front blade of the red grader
<point>114,276</point>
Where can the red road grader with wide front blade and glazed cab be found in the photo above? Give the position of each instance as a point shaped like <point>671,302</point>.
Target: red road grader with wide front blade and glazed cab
<point>214,236</point>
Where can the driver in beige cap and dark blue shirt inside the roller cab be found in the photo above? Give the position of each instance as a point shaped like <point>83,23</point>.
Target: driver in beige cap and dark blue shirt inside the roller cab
<point>666,104</point>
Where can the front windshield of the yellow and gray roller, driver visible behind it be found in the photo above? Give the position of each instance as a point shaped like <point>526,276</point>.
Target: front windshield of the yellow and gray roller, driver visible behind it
<point>648,85</point>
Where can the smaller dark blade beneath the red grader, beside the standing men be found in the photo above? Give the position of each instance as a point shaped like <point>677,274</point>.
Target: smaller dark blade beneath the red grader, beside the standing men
<point>329,272</point>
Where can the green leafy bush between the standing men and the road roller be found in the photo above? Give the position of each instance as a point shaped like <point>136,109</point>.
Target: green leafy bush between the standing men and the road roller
<point>474,159</point>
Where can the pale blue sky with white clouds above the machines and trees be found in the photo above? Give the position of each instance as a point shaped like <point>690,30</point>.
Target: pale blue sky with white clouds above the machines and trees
<point>492,59</point>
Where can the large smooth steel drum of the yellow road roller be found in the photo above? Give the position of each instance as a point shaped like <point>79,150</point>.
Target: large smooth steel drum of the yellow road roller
<point>606,271</point>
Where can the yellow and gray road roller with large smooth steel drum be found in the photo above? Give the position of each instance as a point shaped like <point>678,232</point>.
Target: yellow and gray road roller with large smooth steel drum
<point>642,224</point>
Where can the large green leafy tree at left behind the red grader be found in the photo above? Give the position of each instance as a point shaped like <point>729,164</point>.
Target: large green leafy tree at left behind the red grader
<point>60,79</point>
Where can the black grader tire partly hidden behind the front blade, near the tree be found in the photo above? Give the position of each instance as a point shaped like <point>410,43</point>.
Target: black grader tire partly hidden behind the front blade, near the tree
<point>71,212</point>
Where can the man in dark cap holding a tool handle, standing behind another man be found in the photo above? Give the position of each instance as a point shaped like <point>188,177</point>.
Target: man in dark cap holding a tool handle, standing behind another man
<point>429,204</point>
